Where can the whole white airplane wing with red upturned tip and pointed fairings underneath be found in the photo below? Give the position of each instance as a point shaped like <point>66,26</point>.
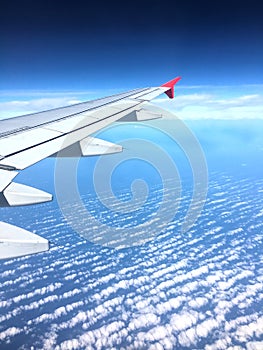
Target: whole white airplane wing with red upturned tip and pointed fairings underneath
<point>25,140</point>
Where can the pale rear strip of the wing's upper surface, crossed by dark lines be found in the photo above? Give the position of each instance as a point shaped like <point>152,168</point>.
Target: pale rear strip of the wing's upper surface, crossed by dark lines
<point>22,149</point>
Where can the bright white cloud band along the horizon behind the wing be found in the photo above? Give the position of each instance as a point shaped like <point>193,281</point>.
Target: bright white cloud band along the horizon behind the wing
<point>197,102</point>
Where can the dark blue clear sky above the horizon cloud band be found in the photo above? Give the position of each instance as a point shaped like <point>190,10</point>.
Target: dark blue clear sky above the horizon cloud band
<point>119,44</point>
